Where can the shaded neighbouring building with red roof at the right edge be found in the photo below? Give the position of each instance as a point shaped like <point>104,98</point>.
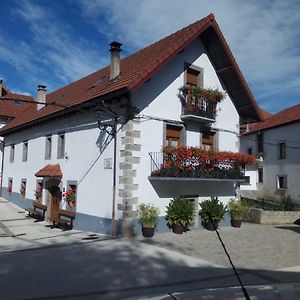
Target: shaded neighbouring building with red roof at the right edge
<point>276,144</point>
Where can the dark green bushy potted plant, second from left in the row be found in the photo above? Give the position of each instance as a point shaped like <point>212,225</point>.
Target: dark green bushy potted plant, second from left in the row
<point>179,215</point>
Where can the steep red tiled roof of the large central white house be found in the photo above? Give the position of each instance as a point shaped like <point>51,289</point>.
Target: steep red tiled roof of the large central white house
<point>139,67</point>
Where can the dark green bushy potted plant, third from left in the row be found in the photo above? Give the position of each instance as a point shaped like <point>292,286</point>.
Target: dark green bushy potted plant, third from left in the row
<point>212,212</point>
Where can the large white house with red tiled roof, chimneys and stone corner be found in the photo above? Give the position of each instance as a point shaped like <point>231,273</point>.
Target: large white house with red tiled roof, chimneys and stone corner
<point>59,146</point>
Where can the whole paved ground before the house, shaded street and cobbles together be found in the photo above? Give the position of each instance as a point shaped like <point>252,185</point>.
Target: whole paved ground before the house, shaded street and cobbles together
<point>42,263</point>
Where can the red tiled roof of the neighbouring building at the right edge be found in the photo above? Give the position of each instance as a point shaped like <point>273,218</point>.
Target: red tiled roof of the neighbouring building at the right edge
<point>282,118</point>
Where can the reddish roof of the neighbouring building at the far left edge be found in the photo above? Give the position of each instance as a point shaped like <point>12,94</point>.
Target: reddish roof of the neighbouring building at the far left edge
<point>10,108</point>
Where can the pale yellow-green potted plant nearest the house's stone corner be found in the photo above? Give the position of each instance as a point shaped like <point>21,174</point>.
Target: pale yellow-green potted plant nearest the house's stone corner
<point>148,215</point>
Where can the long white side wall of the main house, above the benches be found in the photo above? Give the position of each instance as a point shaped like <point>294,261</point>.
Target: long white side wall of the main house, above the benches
<point>81,148</point>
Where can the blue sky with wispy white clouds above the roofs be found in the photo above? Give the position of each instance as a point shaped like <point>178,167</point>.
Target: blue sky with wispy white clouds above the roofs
<point>55,42</point>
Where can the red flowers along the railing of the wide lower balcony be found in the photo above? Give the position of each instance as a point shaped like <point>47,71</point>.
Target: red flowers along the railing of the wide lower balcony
<point>195,162</point>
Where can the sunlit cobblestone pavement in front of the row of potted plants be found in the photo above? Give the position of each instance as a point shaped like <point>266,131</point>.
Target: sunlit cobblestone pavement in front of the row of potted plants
<point>253,246</point>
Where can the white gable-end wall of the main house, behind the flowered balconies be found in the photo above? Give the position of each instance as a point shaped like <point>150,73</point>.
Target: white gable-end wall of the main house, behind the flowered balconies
<point>163,88</point>
